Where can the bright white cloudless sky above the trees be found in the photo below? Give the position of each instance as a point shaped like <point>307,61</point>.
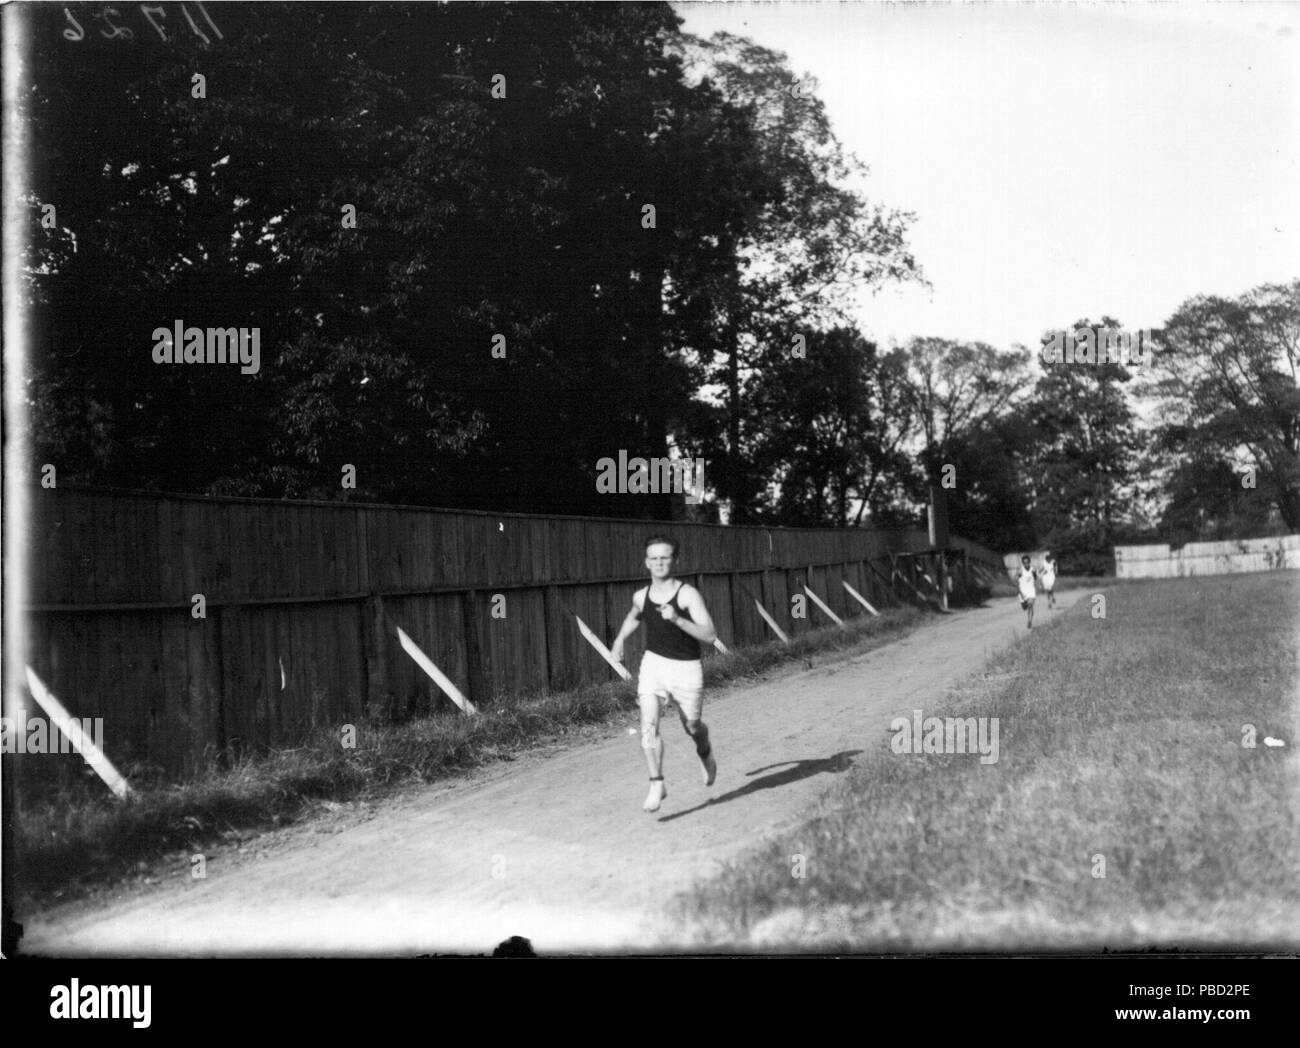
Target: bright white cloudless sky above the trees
<point>1063,161</point>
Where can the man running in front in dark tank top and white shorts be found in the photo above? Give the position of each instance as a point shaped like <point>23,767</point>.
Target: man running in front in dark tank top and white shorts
<point>677,623</point>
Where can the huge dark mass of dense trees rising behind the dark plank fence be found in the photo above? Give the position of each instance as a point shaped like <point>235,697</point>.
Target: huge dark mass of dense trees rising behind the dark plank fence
<point>475,219</point>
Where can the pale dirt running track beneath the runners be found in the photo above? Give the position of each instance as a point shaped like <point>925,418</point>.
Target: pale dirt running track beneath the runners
<point>554,848</point>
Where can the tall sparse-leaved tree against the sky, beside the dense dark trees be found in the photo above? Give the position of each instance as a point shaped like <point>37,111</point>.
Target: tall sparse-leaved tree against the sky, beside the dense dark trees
<point>804,240</point>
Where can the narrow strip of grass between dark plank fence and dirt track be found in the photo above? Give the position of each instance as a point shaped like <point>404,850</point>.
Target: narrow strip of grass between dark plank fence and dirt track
<point>83,837</point>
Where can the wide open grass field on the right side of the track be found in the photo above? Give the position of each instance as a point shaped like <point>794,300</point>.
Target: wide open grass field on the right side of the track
<point>1124,812</point>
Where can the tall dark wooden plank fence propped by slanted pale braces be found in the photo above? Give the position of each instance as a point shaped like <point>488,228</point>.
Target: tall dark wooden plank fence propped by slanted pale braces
<point>304,599</point>
